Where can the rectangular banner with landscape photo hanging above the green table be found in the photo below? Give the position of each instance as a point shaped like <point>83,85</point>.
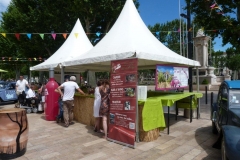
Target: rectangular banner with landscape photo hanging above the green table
<point>170,77</point>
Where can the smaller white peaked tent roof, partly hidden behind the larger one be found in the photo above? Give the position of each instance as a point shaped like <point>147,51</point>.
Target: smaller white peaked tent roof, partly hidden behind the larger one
<point>75,45</point>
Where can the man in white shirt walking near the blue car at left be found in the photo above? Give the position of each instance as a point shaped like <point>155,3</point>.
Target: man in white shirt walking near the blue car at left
<point>20,89</point>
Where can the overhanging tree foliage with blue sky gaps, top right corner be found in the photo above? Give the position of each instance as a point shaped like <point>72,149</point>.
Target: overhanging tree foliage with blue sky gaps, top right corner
<point>223,19</point>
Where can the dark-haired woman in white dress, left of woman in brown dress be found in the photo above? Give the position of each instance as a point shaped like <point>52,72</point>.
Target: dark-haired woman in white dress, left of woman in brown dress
<point>96,107</point>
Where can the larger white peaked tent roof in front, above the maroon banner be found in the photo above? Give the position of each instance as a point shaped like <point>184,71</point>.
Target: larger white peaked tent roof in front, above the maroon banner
<point>129,37</point>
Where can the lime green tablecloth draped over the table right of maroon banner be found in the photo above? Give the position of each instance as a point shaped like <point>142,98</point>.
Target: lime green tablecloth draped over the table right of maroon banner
<point>152,114</point>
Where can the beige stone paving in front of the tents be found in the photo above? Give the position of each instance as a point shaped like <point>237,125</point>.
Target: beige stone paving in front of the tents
<point>186,141</point>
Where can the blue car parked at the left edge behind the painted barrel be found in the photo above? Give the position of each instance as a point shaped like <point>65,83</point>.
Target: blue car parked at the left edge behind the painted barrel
<point>7,92</point>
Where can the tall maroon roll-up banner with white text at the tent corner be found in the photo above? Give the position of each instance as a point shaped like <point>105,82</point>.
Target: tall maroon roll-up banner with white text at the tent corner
<point>123,101</point>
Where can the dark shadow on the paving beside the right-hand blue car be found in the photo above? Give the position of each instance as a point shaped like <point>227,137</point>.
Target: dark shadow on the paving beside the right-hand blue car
<point>205,138</point>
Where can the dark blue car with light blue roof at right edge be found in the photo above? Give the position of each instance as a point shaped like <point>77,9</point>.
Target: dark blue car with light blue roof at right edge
<point>226,119</point>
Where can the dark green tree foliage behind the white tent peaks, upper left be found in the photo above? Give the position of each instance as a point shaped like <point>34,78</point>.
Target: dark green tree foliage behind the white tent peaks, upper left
<point>44,16</point>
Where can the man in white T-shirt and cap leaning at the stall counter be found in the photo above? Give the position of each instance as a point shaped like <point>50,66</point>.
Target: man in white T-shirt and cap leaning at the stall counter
<point>67,98</point>
